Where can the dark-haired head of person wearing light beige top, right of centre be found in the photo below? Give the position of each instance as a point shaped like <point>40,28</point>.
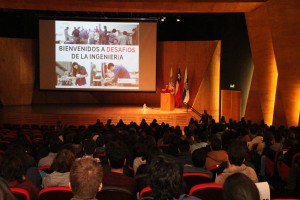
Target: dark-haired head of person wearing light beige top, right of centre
<point>236,153</point>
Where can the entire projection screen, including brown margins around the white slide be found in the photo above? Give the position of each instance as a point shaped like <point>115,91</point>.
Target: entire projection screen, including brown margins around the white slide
<point>97,55</point>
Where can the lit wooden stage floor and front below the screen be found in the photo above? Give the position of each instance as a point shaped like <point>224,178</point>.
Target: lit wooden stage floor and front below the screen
<point>88,114</point>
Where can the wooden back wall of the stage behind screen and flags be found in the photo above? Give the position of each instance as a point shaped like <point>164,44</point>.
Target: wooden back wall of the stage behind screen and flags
<point>20,75</point>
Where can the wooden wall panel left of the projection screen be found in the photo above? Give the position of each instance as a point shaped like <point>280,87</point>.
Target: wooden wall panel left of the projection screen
<point>17,71</point>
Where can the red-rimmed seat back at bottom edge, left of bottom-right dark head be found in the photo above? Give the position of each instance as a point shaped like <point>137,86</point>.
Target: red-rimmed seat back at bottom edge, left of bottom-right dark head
<point>207,191</point>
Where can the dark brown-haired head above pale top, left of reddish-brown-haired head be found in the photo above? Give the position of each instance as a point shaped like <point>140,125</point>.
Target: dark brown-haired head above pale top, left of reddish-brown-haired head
<point>63,161</point>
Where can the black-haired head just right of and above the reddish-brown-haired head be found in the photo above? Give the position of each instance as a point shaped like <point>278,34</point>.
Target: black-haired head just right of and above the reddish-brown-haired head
<point>116,157</point>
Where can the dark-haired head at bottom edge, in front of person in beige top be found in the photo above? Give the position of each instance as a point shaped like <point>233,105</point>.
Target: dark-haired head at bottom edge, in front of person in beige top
<point>238,186</point>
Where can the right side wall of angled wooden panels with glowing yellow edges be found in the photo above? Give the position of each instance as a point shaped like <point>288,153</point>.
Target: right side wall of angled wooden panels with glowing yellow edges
<point>275,44</point>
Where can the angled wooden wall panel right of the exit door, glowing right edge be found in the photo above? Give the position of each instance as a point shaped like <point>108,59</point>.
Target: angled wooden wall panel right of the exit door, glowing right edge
<point>263,88</point>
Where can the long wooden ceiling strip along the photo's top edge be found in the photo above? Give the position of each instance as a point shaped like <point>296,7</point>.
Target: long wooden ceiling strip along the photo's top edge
<point>138,6</point>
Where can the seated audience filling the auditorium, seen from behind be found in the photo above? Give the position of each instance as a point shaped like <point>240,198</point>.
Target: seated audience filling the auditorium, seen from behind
<point>134,156</point>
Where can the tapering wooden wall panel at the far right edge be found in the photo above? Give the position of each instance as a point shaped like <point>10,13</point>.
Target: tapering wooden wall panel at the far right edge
<point>284,22</point>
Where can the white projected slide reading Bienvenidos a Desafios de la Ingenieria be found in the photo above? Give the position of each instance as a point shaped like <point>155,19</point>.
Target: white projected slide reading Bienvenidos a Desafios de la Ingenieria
<point>96,55</point>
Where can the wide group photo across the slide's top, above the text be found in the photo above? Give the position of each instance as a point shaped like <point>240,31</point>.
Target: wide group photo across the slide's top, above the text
<point>96,33</point>
